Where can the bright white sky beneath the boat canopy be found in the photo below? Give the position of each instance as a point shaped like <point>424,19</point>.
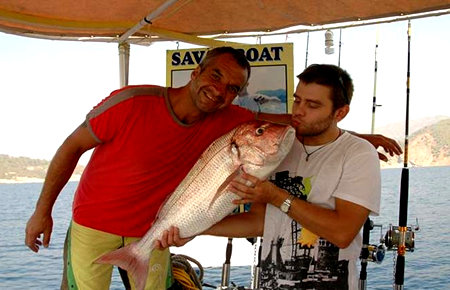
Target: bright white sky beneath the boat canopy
<point>47,86</point>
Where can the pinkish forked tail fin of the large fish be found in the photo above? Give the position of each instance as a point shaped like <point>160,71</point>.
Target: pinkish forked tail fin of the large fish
<point>125,258</point>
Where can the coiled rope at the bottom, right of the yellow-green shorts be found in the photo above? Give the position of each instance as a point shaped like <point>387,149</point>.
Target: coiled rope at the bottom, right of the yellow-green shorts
<point>185,274</point>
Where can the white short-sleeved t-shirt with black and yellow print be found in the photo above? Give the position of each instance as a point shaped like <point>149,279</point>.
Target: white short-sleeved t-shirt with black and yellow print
<point>347,168</point>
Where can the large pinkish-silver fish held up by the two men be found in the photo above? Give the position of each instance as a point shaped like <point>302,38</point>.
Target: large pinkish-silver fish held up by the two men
<point>202,198</point>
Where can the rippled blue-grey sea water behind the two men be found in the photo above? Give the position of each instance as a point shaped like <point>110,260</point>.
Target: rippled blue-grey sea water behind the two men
<point>428,267</point>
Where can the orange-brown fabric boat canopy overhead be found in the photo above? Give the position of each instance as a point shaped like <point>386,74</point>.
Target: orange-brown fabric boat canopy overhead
<point>145,21</point>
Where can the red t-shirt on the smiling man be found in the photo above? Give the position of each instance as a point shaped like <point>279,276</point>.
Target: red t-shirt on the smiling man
<point>145,152</point>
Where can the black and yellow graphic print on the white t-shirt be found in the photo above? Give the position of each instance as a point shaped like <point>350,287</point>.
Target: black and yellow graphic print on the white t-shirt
<point>290,264</point>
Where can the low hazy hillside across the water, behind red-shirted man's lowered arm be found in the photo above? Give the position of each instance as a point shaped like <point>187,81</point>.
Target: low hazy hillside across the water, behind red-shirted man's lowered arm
<point>24,169</point>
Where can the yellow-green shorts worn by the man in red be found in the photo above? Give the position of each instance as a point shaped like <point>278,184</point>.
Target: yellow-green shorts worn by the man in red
<point>83,246</point>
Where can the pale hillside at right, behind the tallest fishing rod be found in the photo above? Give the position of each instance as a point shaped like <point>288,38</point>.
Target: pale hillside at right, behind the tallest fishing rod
<point>428,146</point>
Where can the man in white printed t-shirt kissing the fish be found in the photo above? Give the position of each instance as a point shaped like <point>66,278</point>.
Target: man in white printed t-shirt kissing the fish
<point>311,211</point>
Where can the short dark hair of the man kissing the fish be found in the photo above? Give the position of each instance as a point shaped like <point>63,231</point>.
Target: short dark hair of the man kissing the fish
<point>332,76</point>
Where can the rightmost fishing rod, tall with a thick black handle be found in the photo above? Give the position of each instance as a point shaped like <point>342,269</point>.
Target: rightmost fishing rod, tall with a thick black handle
<point>404,189</point>
